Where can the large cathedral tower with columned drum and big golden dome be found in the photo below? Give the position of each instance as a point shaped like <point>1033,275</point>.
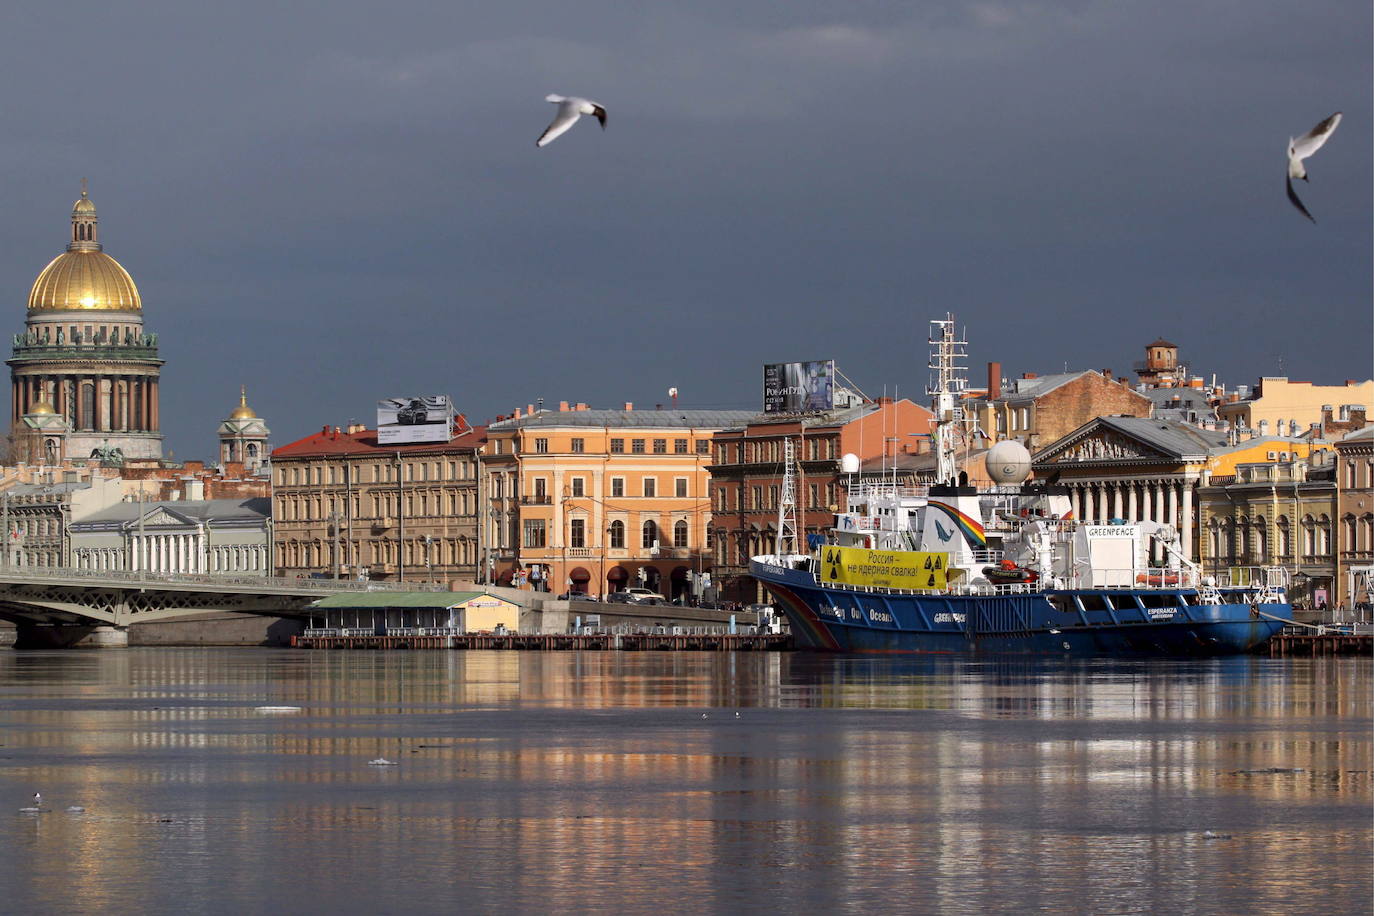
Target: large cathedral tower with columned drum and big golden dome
<point>85,356</point>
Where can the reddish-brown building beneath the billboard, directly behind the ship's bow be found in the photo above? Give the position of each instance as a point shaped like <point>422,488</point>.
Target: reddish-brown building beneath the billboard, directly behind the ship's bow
<point>748,472</point>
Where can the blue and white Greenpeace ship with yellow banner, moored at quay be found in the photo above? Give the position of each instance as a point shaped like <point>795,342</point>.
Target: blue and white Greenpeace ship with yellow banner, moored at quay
<point>949,568</point>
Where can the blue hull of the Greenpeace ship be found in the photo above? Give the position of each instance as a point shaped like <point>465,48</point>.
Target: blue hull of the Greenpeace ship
<point>1138,623</point>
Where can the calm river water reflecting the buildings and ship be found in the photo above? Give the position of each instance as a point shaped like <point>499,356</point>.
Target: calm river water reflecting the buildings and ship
<point>682,782</point>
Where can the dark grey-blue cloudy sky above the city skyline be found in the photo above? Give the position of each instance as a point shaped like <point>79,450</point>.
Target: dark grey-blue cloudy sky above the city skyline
<point>337,203</point>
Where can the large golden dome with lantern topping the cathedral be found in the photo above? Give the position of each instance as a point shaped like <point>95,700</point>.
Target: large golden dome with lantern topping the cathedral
<point>85,278</point>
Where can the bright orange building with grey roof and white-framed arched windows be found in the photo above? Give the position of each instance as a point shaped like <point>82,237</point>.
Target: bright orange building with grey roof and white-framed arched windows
<point>582,501</point>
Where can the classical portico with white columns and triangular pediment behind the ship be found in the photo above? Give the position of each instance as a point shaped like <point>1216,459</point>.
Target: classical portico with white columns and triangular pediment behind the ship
<point>1133,469</point>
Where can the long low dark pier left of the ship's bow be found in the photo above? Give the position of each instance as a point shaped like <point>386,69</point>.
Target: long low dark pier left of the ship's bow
<point>633,642</point>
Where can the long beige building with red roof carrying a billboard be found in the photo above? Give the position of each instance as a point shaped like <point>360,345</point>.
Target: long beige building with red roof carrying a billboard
<point>344,506</point>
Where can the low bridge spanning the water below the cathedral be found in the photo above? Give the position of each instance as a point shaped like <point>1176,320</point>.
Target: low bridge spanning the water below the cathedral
<point>61,608</point>
